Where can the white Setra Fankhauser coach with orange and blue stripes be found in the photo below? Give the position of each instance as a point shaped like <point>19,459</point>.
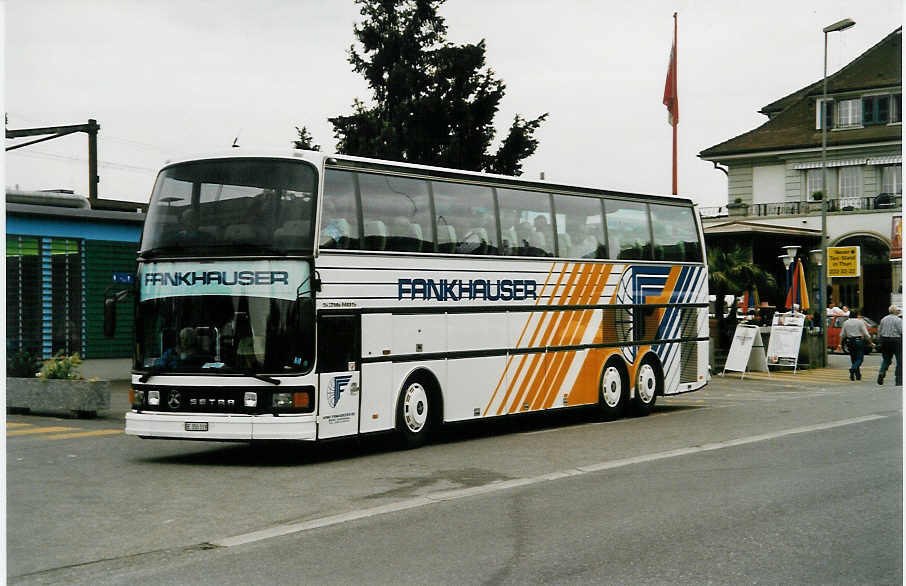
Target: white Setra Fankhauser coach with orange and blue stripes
<point>309,296</point>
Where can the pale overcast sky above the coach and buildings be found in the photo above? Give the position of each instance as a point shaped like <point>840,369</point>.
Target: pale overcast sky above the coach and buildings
<point>164,78</point>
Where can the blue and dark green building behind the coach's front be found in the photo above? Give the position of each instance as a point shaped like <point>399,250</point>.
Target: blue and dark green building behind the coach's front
<point>62,256</point>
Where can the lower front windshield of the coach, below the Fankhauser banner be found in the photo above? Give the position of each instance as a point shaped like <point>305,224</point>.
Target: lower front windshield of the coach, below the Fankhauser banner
<point>222,334</point>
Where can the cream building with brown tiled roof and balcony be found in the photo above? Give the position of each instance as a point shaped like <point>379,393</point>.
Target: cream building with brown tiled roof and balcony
<point>775,176</point>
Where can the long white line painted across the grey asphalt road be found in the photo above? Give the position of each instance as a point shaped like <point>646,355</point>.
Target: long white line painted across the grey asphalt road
<point>460,493</point>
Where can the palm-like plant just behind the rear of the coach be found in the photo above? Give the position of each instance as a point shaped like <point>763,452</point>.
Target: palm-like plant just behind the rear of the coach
<point>730,272</point>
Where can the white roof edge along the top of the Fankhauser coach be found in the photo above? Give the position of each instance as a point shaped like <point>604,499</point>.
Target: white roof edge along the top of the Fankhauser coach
<point>333,160</point>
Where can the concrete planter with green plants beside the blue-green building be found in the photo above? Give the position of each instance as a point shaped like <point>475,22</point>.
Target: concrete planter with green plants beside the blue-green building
<point>57,386</point>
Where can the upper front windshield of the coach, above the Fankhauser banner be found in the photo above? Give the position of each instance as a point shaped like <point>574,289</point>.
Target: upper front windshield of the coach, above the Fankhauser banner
<point>228,206</point>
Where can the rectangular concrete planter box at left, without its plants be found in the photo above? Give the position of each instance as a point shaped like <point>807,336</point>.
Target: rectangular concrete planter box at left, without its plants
<point>82,398</point>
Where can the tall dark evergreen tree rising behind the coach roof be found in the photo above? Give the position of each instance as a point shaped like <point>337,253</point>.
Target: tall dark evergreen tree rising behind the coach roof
<point>434,102</point>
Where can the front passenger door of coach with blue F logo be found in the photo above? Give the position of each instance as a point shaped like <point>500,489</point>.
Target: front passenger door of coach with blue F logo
<point>338,375</point>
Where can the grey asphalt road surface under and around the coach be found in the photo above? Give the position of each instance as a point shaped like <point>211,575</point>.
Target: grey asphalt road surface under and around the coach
<point>787,479</point>
